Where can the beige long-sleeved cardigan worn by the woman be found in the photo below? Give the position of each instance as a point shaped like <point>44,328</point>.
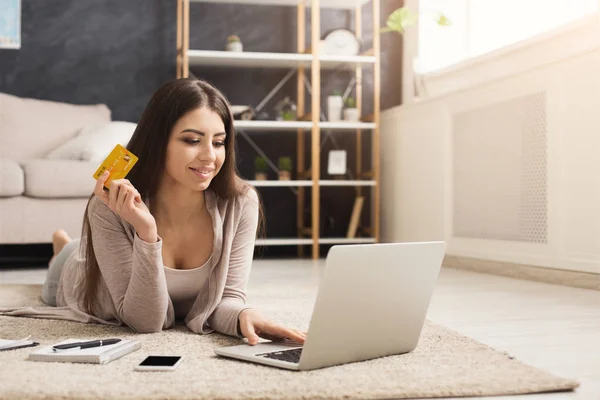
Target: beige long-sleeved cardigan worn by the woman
<point>133,289</point>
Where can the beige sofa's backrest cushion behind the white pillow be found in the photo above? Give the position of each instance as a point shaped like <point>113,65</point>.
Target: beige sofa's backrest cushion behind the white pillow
<point>31,128</point>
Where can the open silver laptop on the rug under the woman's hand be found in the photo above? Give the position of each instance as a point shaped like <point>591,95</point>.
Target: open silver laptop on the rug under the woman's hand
<point>371,303</point>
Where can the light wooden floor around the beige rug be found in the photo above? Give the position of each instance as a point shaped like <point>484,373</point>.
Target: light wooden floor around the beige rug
<point>552,327</point>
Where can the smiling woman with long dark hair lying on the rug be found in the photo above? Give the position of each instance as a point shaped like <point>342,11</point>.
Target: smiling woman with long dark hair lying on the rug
<point>176,239</point>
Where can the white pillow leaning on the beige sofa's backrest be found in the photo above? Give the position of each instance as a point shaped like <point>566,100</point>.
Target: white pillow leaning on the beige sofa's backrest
<point>94,143</point>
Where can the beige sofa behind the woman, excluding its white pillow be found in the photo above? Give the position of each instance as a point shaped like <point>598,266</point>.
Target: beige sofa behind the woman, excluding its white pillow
<point>38,194</point>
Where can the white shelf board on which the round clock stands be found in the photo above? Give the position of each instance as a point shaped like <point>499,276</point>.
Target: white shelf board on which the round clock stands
<point>219,58</point>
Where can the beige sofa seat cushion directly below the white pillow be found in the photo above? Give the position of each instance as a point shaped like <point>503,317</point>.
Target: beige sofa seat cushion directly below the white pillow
<point>59,178</point>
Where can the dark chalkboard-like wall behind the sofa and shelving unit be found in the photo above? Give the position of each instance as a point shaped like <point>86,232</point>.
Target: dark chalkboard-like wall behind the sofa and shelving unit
<point>118,52</point>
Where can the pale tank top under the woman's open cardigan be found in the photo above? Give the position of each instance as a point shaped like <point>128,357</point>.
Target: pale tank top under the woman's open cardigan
<point>184,285</point>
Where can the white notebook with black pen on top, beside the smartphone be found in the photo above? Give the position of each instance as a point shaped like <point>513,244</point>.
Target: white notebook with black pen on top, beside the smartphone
<point>93,355</point>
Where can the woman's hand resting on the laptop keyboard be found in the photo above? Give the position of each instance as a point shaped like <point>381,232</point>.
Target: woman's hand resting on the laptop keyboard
<point>253,325</point>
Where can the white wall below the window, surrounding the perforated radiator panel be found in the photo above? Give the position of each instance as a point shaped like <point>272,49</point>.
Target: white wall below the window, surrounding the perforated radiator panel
<point>417,150</point>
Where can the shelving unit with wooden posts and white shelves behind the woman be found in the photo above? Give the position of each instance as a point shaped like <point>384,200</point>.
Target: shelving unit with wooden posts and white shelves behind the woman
<point>306,62</point>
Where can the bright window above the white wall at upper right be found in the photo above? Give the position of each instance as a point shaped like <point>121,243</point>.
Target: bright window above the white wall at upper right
<point>480,26</point>
